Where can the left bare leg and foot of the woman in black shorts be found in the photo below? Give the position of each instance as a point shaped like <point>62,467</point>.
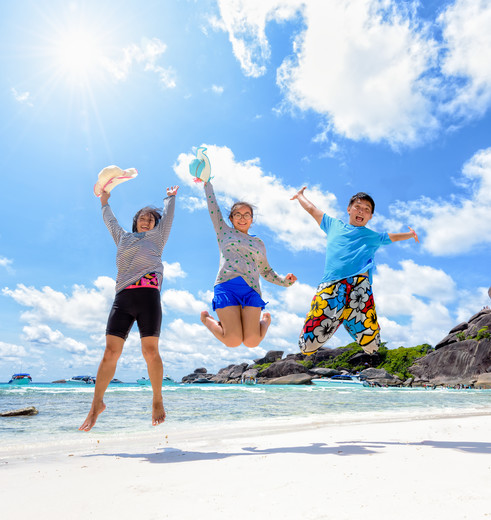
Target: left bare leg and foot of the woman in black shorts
<point>107,368</point>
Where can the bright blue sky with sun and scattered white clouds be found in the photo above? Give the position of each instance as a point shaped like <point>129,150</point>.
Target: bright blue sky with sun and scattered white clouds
<point>341,97</point>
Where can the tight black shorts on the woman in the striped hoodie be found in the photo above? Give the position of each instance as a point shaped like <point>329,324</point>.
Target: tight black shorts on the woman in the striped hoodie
<point>141,305</point>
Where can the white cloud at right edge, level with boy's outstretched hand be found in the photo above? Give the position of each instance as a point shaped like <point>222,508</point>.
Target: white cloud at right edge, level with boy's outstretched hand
<point>457,224</point>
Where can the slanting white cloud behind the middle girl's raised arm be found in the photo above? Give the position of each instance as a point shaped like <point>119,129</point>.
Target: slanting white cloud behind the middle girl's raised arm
<point>246,181</point>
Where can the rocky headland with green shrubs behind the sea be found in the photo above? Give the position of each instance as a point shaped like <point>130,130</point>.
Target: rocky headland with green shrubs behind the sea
<point>461,359</point>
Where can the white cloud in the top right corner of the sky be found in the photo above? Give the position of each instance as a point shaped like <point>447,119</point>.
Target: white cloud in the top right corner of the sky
<point>467,36</point>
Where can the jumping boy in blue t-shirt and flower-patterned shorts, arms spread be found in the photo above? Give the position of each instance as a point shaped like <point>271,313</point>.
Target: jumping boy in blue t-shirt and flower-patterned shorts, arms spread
<point>345,292</point>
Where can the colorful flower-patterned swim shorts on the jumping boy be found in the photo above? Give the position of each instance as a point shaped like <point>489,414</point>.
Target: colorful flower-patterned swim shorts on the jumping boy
<point>348,301</point>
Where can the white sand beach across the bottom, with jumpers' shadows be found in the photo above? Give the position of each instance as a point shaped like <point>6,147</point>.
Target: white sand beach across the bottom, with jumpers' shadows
<point>429,469</point>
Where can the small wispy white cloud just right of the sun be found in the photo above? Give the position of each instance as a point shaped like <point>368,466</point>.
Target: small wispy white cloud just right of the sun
<point>146,54</point>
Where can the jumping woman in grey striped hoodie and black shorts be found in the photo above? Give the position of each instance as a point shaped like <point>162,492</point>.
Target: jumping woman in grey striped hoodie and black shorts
<point>138,284</point>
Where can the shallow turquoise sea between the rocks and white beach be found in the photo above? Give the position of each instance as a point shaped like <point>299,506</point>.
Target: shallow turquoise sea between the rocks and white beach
<point>62,408</point>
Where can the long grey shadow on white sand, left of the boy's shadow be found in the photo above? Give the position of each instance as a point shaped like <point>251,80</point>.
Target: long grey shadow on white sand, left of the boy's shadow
<point>174,455</point>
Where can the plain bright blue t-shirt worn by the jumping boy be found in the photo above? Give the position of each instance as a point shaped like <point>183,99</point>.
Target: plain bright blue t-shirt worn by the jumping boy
<point>350,249</point>
